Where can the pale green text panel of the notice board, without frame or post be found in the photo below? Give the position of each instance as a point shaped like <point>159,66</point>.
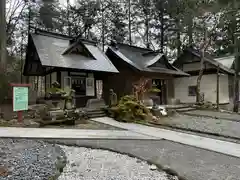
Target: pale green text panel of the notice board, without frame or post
<point>20,98</point>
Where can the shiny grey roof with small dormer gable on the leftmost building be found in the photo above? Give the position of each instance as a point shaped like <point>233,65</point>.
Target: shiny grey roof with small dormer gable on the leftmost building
<point>54,50</point>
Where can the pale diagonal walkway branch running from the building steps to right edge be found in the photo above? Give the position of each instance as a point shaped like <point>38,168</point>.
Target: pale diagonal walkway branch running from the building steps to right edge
<point>183,138</point>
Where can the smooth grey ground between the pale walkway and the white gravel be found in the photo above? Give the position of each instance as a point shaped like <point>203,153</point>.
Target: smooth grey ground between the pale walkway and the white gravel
<point>190,162</point>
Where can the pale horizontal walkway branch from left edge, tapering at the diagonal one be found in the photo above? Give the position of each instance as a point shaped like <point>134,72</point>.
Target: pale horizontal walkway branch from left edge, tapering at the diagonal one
<point>69,134</point>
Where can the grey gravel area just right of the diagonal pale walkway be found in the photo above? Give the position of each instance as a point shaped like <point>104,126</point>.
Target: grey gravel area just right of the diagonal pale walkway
<point>220,126</point>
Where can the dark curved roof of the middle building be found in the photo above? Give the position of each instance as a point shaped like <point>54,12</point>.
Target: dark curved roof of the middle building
<point>144,59</point>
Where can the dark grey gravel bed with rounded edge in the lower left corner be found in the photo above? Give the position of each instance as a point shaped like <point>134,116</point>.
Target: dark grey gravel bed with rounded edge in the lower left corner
<point>29,160</point>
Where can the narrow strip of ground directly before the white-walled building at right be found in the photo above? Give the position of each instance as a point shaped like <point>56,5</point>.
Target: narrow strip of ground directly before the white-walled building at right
<point>214,114</point>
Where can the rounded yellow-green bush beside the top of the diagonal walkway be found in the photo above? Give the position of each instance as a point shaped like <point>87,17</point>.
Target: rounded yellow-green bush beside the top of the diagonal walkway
<point>129,110</point>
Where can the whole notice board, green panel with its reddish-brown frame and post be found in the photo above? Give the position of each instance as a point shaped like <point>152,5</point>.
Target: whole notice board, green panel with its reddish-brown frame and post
<point>20,99</point>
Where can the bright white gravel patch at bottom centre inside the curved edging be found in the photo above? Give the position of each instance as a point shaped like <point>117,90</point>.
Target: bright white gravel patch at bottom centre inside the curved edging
<point>90,164</point>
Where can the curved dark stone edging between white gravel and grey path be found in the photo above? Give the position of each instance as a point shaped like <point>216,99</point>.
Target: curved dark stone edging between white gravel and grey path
<point>166,169</point>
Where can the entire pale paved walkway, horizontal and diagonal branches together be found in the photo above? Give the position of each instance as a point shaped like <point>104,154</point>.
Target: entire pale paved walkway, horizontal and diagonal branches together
<point>132,131</point>
